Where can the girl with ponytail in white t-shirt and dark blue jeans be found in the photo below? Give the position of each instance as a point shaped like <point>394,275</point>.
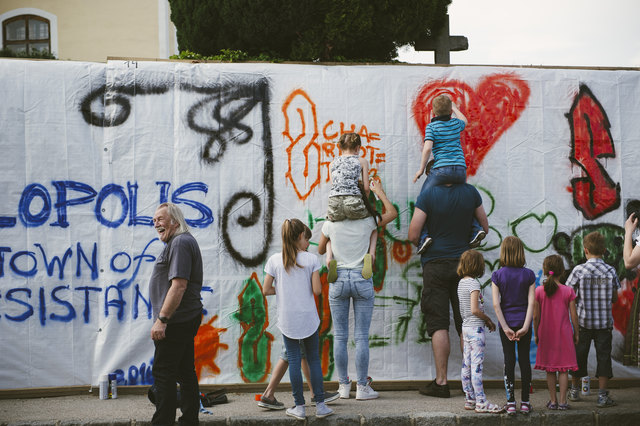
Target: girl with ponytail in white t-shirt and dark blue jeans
<point>293,276</point>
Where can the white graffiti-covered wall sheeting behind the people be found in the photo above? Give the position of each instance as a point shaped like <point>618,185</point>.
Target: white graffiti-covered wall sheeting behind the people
<point>88,151</point>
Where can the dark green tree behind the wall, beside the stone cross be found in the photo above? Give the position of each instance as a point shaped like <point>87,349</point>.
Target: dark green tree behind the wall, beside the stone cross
<point>306,30</point>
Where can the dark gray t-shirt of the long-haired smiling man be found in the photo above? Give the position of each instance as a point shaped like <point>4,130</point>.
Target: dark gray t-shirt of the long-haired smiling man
<point>180,258</point>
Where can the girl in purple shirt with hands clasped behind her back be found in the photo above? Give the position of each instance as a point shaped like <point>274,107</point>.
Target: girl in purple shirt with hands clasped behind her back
<point>513,291</point>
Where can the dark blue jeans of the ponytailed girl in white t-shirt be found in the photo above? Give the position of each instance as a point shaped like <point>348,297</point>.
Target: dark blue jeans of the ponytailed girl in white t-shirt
<point>311,348</point>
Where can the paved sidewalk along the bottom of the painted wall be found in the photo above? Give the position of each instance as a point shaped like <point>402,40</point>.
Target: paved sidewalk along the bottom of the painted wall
<point>392,408</point>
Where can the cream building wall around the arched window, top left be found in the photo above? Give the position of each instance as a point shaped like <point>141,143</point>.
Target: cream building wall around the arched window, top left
<point>92,30</point>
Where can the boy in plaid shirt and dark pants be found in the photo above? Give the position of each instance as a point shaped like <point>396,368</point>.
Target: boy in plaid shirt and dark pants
<point>596,286</point>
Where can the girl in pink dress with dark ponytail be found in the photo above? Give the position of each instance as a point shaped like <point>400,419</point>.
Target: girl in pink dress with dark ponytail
<point>554,333</point>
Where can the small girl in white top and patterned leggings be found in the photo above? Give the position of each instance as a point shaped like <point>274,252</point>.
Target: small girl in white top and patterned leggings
<point>474,320</point>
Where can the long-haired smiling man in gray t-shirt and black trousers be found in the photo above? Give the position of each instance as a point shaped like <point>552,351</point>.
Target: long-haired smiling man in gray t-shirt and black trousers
<point>174,291</point>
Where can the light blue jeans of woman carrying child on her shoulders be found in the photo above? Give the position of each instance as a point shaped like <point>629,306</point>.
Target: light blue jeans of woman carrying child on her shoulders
<point>350,286</point>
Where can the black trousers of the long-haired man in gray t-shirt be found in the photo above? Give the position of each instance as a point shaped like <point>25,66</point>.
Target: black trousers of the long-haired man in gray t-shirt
<point>173,362</point>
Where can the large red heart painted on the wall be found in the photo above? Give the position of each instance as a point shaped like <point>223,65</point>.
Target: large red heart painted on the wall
<point>491,109</point>
